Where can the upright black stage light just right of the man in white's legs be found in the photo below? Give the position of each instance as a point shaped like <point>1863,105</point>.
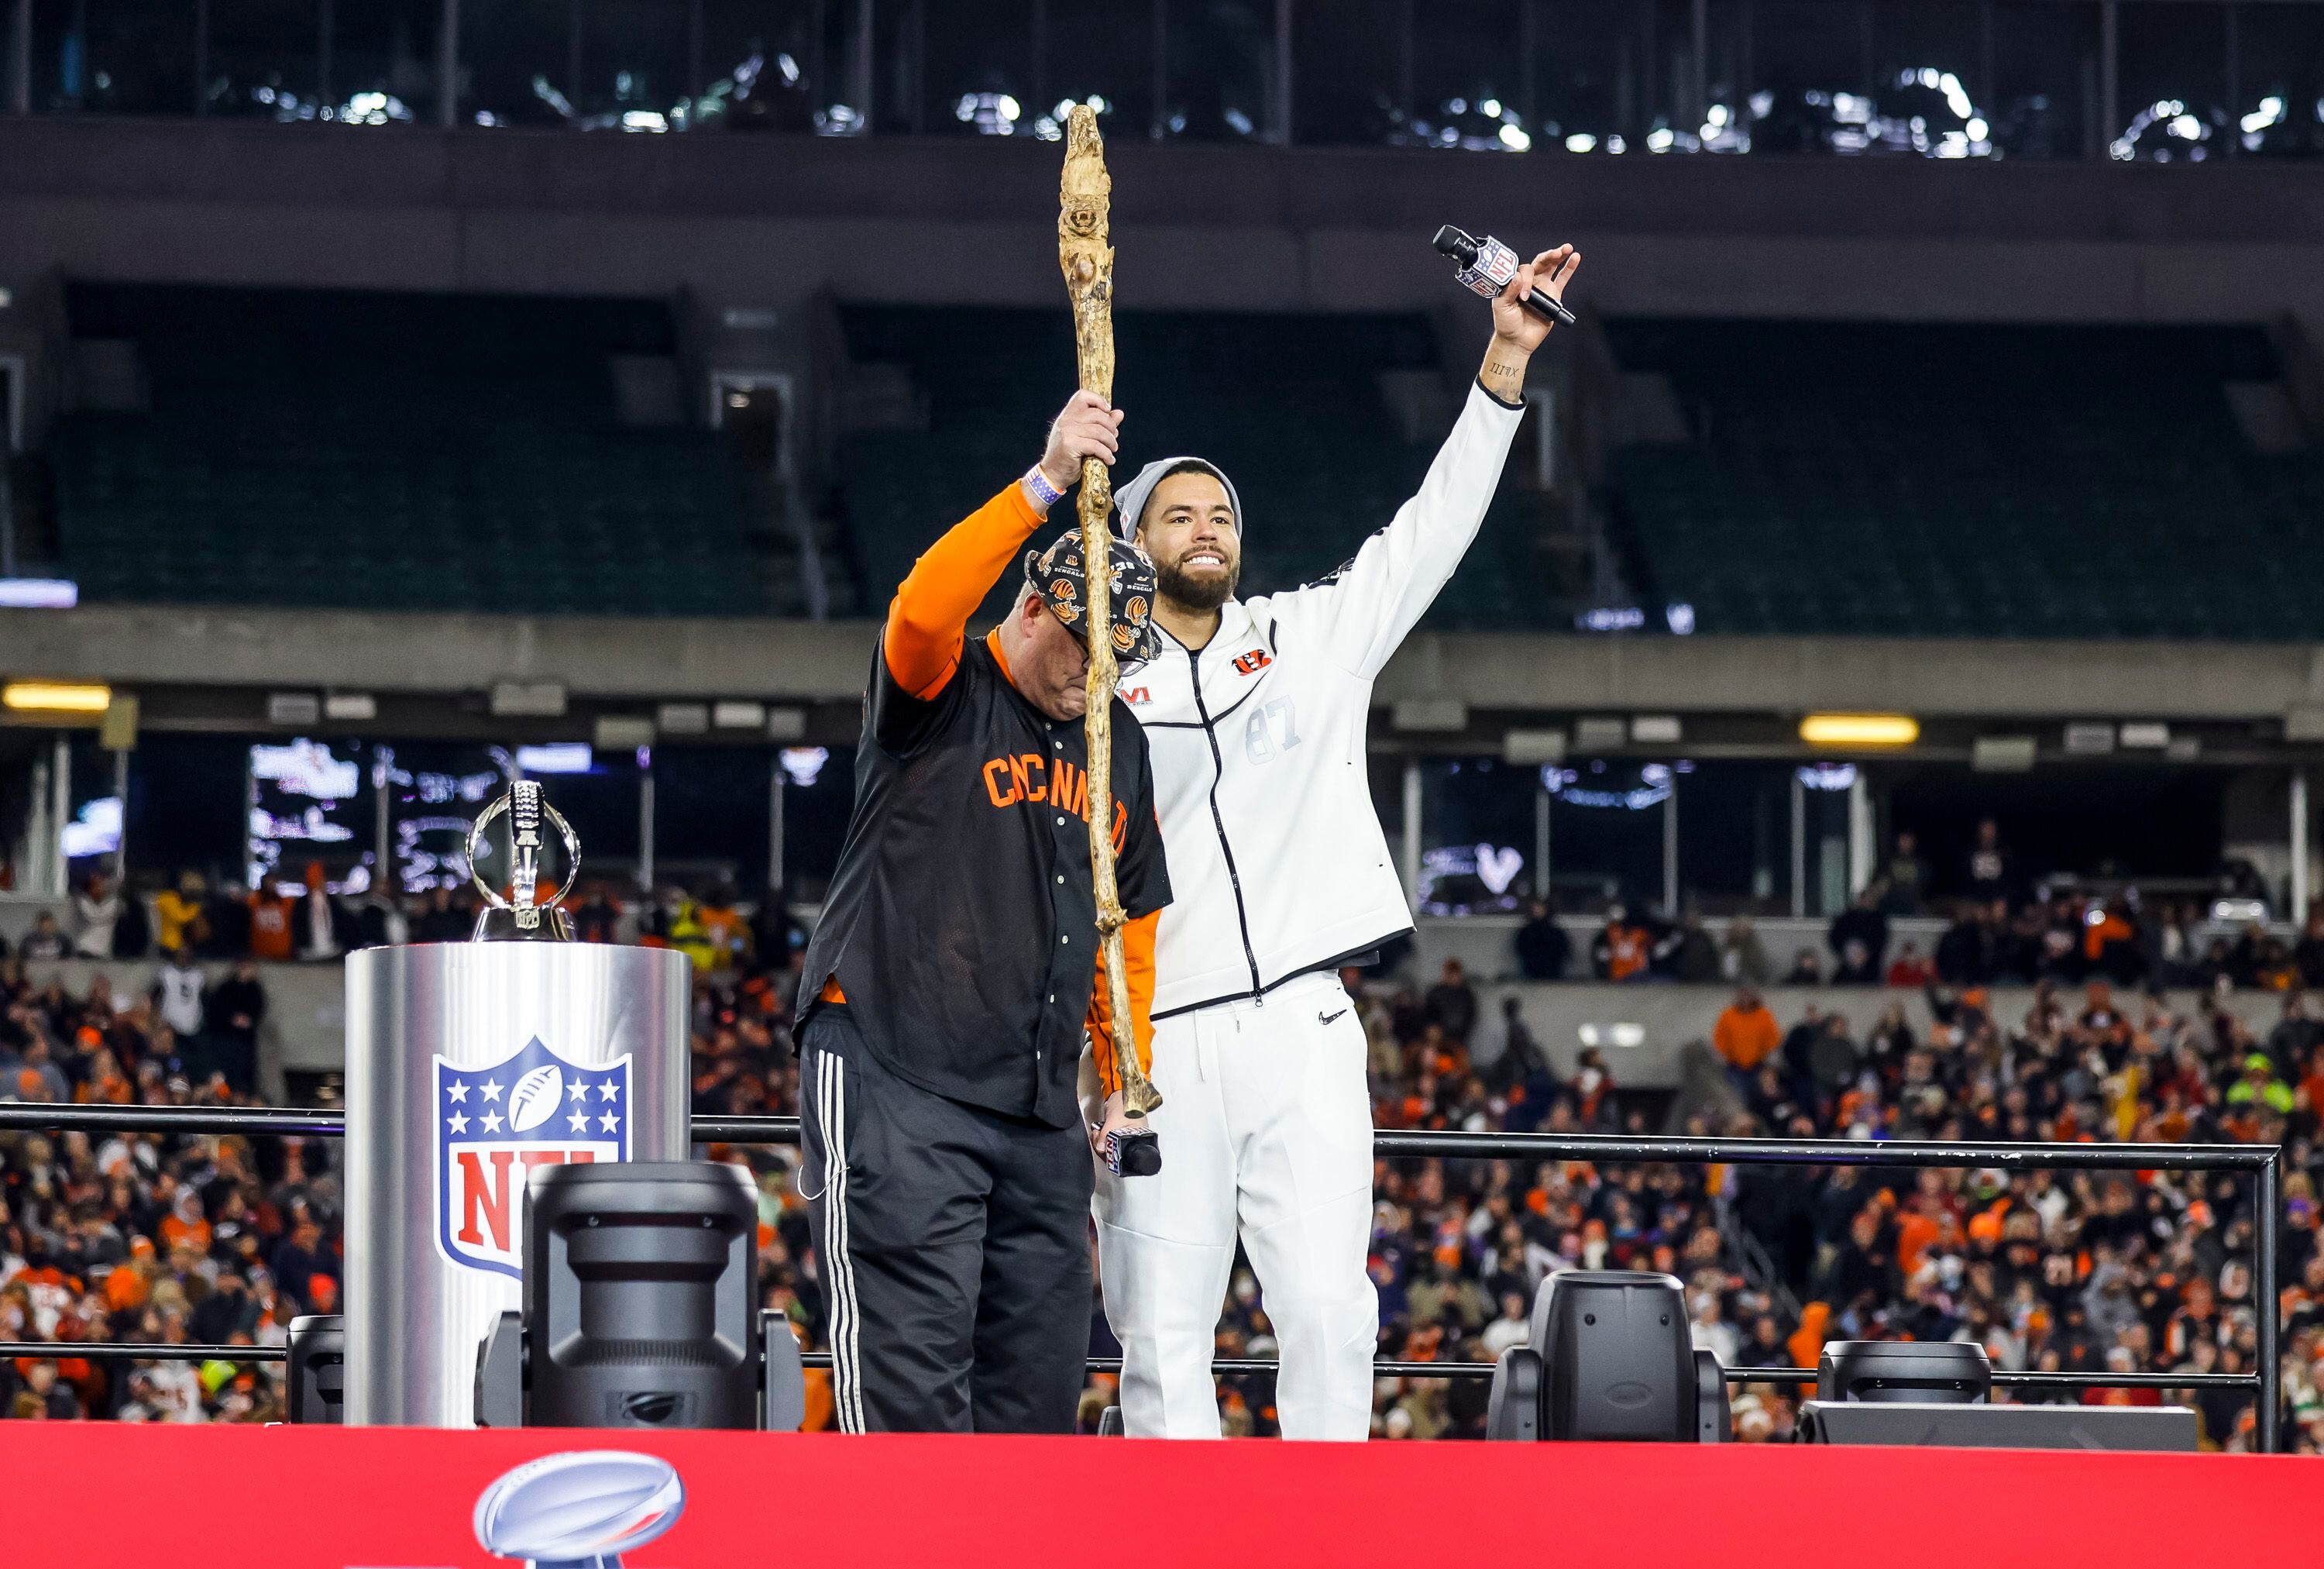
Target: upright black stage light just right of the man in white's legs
<point>1607,1359</point>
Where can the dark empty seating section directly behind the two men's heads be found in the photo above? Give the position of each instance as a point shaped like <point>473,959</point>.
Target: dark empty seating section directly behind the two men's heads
<point>1289,406</point>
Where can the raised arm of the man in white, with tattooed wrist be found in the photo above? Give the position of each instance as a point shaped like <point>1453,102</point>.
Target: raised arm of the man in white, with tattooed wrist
<point>1365,610</point>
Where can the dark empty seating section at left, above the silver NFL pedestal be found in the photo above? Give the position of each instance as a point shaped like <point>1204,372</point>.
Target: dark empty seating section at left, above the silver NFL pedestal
<point>394,452</point>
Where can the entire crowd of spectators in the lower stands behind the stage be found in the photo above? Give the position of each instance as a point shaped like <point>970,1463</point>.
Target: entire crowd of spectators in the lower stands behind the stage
<point>224,1240</point>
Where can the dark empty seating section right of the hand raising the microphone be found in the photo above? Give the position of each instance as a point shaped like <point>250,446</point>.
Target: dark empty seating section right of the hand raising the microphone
<point>1970,480</point>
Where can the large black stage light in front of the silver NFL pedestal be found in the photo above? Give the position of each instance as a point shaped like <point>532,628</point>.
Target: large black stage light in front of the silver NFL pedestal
<point>640,1287</point>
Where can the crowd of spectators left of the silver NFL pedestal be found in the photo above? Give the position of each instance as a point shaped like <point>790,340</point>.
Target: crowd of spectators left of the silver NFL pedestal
<point>124,1238</point>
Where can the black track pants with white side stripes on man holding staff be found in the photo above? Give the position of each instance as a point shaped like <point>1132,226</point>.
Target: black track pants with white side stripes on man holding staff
<point>954,1249</point>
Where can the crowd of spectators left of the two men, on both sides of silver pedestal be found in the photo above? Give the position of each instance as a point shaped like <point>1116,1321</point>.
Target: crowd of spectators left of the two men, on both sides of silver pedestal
<point>227,1240</point>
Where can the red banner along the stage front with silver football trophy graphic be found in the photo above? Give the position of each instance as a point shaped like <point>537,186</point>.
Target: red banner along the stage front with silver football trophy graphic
<point>322,1498</point>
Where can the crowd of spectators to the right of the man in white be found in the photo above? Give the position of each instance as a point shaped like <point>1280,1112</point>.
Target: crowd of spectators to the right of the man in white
<point>2051,1273</point>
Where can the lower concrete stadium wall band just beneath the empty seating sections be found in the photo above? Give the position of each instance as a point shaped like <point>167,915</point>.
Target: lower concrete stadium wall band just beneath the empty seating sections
<point>1493,673</point>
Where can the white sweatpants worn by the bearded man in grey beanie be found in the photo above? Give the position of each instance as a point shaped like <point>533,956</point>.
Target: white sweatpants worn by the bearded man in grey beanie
<point>1265,1129</point>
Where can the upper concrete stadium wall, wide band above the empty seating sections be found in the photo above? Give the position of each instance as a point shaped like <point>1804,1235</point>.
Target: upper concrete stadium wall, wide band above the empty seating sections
<point>761,222</point>
